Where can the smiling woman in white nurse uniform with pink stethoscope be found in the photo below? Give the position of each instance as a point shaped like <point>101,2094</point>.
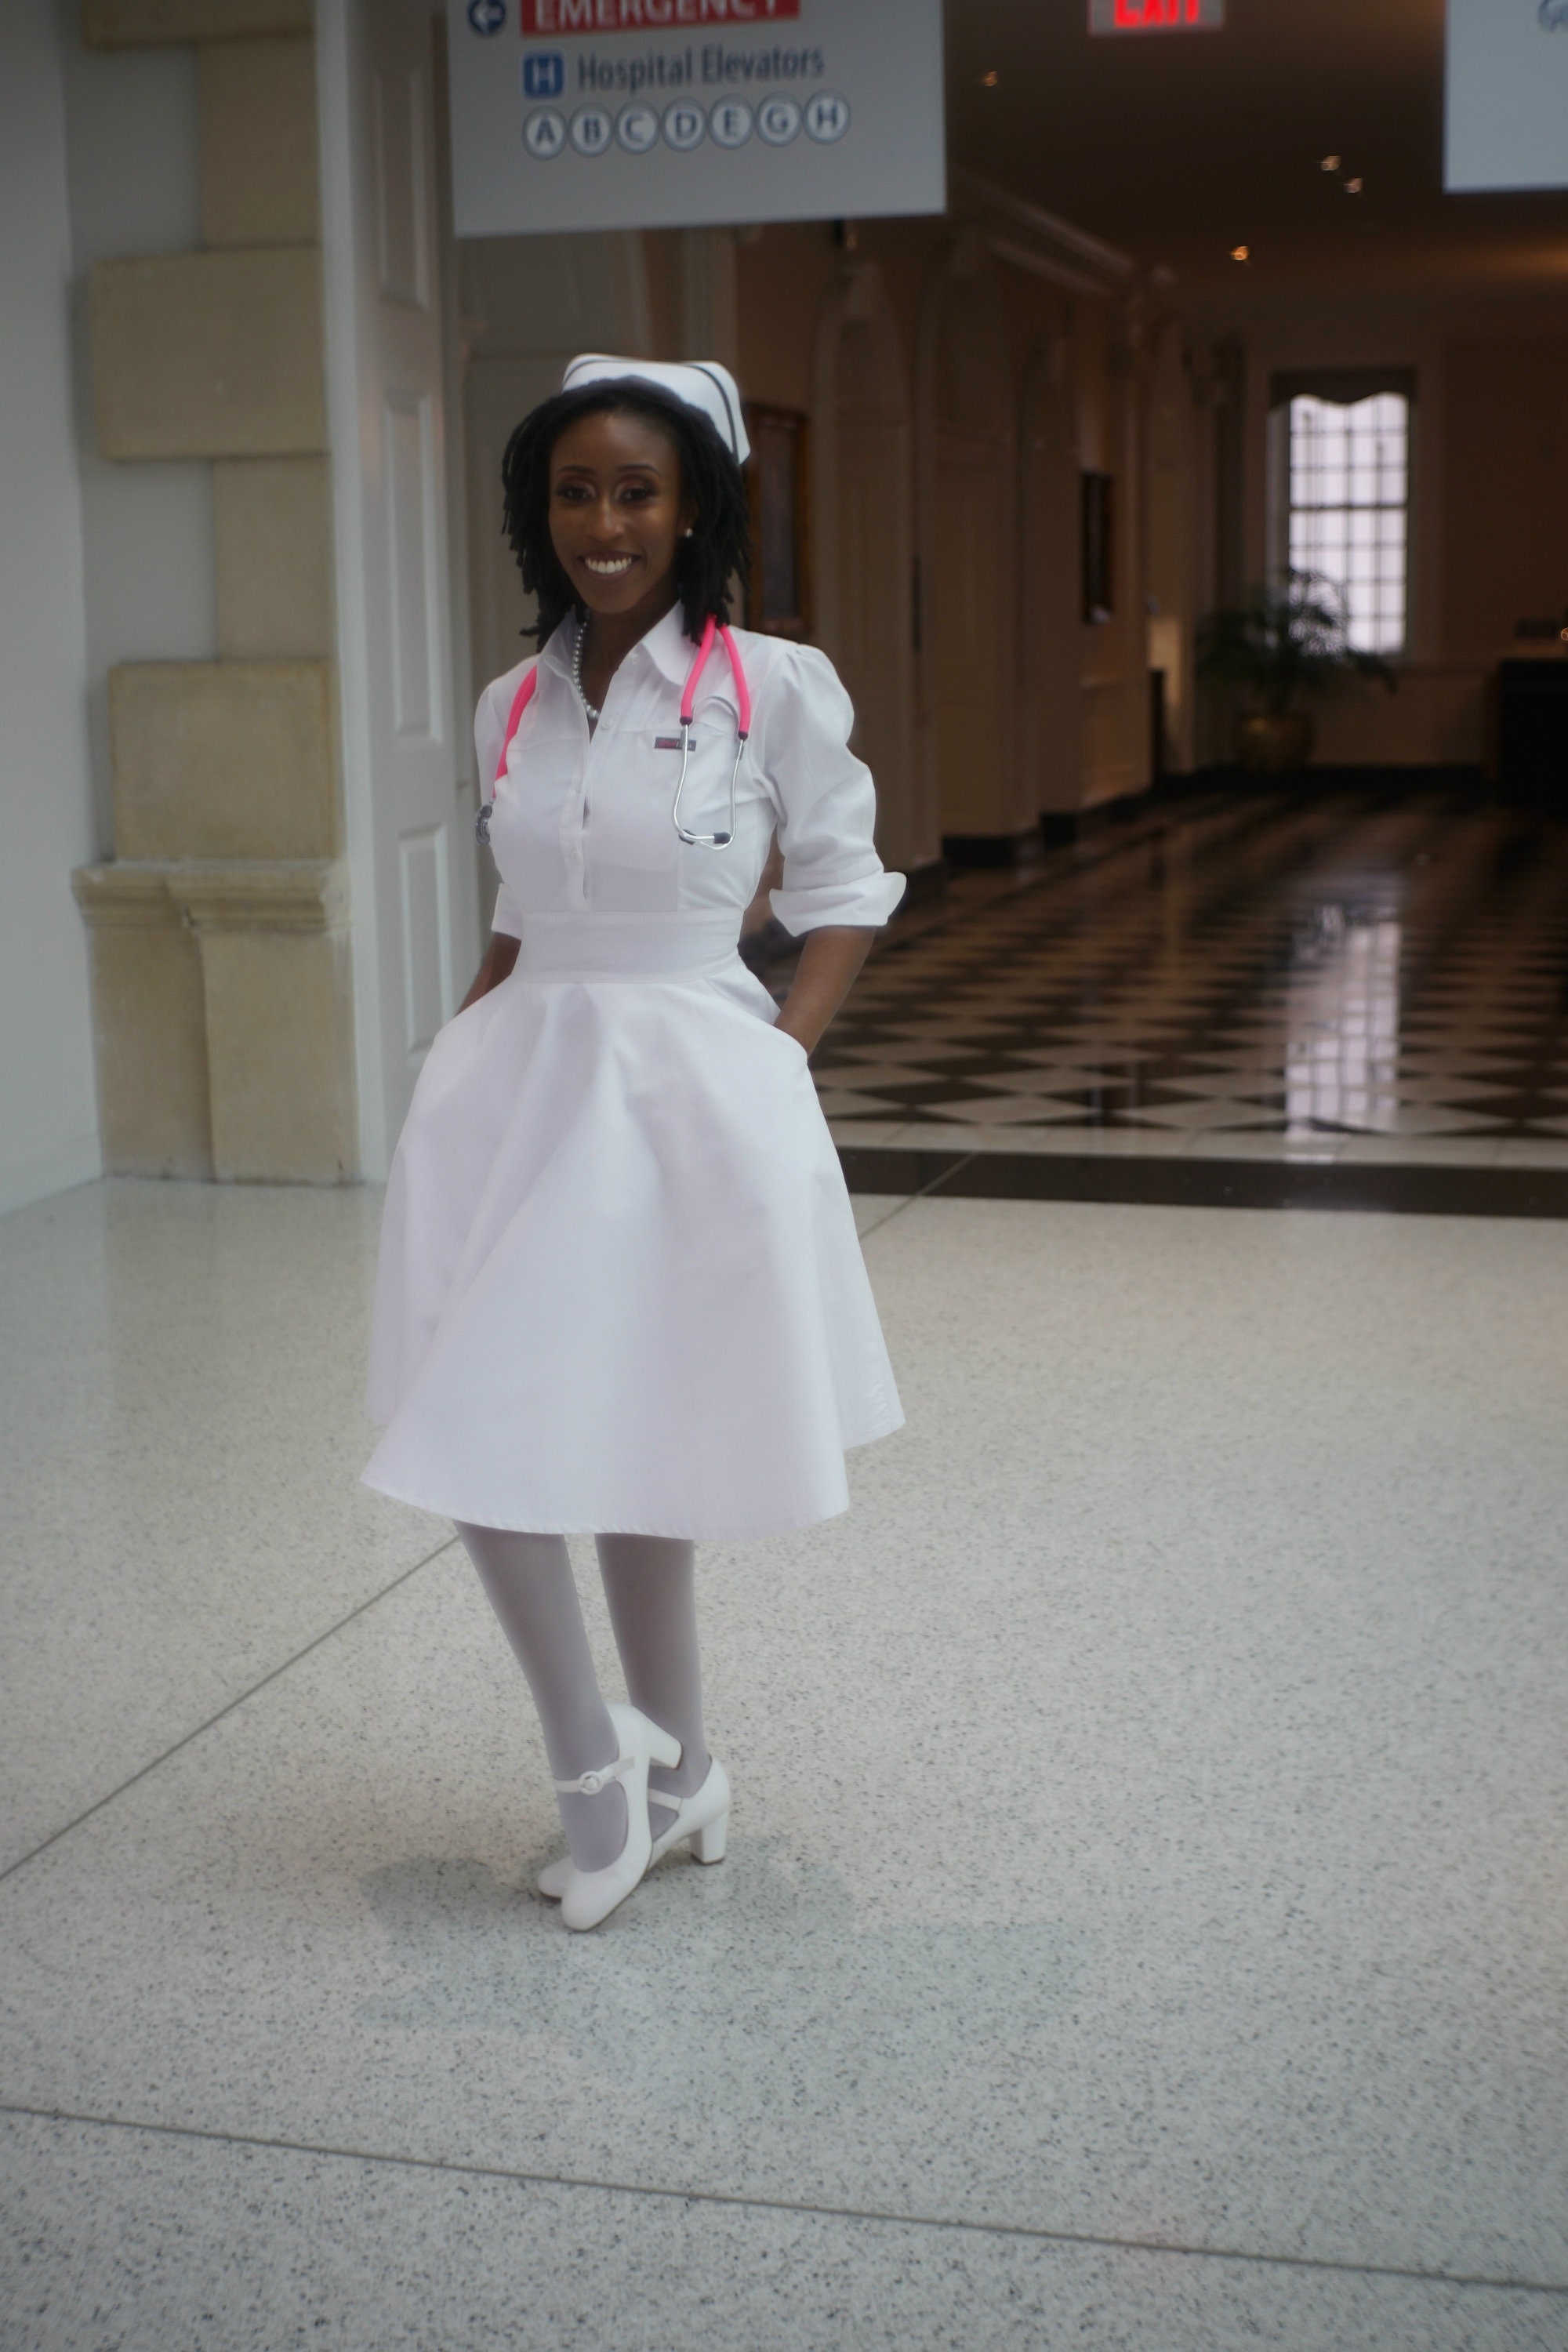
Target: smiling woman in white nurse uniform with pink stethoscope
<point>619,1281</point>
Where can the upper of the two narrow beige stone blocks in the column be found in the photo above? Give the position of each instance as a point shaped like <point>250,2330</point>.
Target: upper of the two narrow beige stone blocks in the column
<point>260,168</point>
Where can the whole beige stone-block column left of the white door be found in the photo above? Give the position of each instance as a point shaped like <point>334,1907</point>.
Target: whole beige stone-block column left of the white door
<point>222,996</point>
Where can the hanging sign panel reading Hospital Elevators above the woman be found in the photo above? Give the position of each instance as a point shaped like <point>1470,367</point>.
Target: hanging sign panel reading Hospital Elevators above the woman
<point>671,114</point>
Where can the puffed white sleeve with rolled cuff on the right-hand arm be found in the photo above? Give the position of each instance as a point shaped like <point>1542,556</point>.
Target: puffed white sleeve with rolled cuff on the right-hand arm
<point>824,796</point>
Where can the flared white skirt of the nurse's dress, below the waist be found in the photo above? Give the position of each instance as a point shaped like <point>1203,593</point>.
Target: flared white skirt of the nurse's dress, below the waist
<point>619,1281</point>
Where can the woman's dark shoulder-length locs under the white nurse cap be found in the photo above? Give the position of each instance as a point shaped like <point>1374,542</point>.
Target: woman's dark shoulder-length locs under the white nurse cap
<point>721,547</point>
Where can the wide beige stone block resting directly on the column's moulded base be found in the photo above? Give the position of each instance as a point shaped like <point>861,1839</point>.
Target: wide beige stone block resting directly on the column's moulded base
<point>225,761</point>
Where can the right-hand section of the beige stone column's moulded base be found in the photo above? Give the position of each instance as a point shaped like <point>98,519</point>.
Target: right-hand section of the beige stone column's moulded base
<point>276,963</point>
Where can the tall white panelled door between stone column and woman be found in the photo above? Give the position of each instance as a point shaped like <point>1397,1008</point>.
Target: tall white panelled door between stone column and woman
<point>406,763</point>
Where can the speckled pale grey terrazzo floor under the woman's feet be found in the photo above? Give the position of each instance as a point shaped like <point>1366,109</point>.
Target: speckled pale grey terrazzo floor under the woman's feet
<point>1146,1918</point>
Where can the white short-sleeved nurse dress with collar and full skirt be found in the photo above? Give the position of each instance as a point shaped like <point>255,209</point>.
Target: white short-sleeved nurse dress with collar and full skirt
<point>619,1278</point>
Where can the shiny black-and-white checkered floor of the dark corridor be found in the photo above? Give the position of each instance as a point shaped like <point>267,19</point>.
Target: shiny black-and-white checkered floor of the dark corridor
<point>1235,977</point>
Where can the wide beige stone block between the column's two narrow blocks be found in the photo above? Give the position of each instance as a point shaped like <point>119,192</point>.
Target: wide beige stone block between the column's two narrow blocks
<point>210,354</point>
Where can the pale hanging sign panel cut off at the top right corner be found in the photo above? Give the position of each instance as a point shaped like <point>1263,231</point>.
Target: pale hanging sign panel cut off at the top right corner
<point>1508,95</point>
